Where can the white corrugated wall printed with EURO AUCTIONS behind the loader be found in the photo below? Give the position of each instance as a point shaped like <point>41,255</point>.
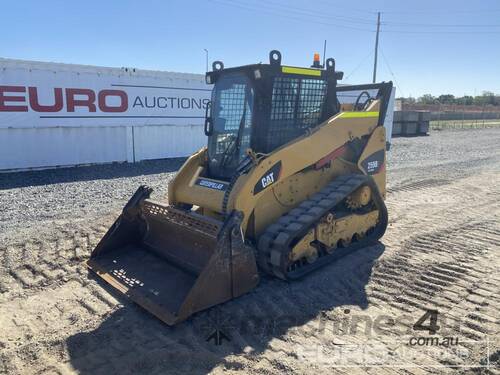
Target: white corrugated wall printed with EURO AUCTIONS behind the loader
<point>62,114</point>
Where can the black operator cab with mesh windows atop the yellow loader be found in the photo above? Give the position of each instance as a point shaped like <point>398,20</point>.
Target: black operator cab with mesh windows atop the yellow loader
<point>264,106</point>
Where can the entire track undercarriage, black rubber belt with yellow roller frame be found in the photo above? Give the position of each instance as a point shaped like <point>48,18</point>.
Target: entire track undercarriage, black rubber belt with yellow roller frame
<point>323,228</point>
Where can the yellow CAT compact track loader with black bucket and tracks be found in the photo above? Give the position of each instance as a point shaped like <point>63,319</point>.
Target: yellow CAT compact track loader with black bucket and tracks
<point>292,178</point>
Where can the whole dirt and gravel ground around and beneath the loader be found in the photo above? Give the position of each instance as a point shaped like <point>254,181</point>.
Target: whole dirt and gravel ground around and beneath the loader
<point>356,316</point>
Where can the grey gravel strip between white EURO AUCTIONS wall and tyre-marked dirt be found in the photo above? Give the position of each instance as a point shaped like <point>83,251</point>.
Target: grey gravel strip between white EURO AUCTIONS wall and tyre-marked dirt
<point>73,193</point>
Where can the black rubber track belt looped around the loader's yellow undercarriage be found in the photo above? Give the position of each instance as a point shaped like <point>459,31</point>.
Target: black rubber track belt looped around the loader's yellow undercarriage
<point>277,241</point>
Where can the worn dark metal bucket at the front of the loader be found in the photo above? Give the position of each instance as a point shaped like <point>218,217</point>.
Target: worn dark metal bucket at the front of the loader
<point>174,262</point>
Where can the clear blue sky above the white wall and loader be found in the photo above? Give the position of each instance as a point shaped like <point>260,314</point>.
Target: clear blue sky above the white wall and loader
<point>428,46</point>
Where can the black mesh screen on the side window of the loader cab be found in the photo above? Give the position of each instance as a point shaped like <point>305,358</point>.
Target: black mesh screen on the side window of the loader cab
<point>296,105</point>
